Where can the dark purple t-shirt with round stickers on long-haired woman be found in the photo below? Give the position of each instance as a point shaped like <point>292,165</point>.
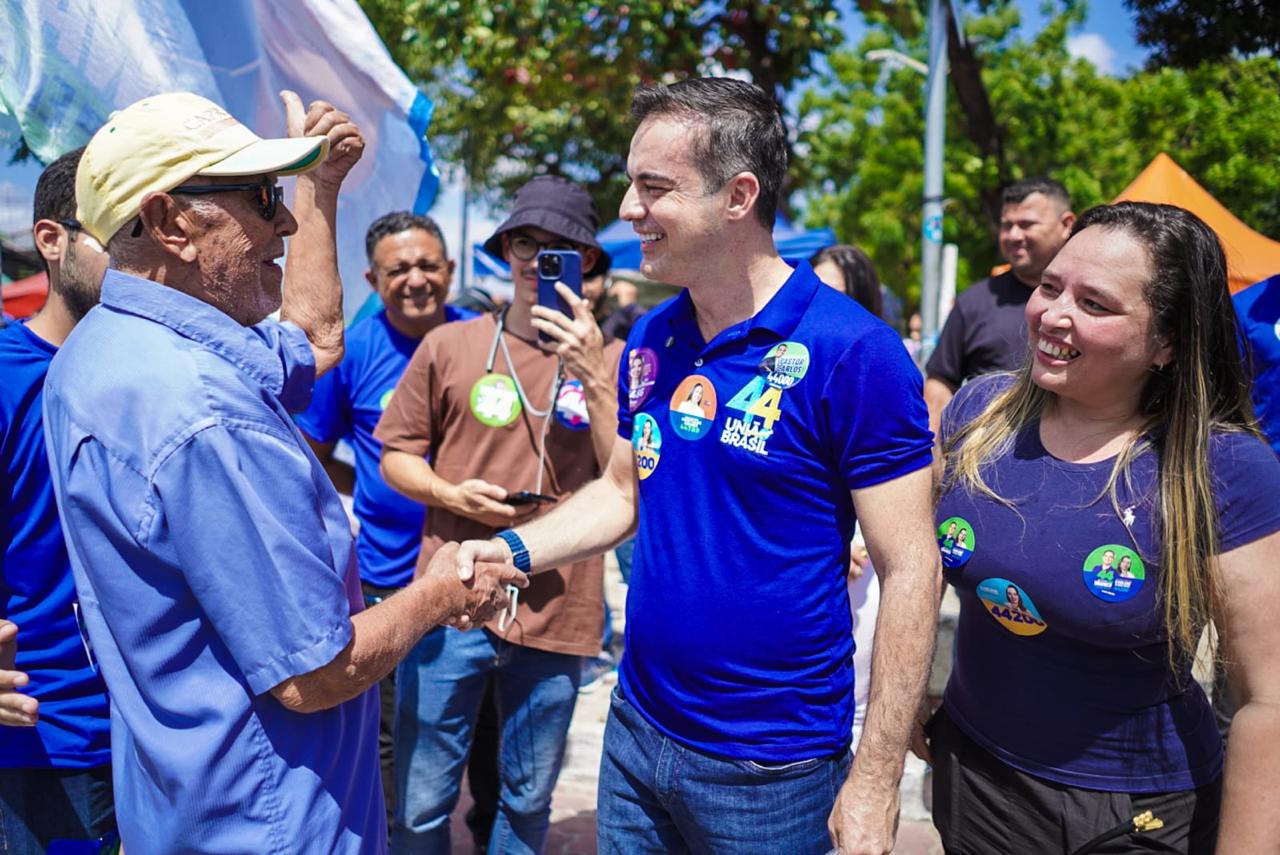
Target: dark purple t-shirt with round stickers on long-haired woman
<point>1060,652</point>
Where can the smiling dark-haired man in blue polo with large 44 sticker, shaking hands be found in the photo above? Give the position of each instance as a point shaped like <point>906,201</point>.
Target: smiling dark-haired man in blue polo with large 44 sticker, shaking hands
<point>732,725</point>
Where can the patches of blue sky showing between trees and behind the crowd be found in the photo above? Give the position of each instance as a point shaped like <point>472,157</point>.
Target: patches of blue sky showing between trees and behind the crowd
<point>1107,39</point>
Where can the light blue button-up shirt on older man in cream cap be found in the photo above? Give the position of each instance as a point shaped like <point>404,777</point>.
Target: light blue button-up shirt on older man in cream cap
<point>213,561</point>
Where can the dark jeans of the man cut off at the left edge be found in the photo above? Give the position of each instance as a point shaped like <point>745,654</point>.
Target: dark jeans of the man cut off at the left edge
<point>39,807</point>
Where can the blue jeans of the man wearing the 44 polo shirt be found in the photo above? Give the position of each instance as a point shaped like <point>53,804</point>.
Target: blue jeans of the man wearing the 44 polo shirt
<point>660,797</point>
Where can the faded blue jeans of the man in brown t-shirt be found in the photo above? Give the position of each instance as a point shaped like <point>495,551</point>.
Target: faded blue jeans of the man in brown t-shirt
<point>440,688</point>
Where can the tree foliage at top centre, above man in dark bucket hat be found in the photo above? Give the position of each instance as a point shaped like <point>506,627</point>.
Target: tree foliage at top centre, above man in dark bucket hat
<point>545,86</point>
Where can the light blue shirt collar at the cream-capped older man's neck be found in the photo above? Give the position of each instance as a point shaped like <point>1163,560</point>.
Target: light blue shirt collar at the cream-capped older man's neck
<point>196,321</point>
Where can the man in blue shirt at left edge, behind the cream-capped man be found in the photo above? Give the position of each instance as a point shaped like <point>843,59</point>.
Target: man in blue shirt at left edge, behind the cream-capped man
<point>56,778</point>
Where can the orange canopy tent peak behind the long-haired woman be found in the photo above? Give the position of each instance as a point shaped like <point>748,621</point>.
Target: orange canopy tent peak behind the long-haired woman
<point>1250,257</point>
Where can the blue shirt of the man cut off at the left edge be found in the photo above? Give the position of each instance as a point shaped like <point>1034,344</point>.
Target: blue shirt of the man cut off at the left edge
<point>36,588</point>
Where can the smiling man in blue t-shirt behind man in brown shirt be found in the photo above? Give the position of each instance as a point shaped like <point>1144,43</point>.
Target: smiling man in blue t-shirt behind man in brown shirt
<point>410,269</point>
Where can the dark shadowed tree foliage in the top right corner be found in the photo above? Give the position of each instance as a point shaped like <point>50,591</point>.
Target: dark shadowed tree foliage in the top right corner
<point>1190,33</point>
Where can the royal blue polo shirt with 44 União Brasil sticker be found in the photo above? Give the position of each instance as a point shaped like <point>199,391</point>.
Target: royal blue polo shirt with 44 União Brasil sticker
<point>739,638</point>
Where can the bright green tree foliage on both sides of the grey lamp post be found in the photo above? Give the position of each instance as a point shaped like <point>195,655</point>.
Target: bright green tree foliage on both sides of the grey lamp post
<point>861,153</point>
